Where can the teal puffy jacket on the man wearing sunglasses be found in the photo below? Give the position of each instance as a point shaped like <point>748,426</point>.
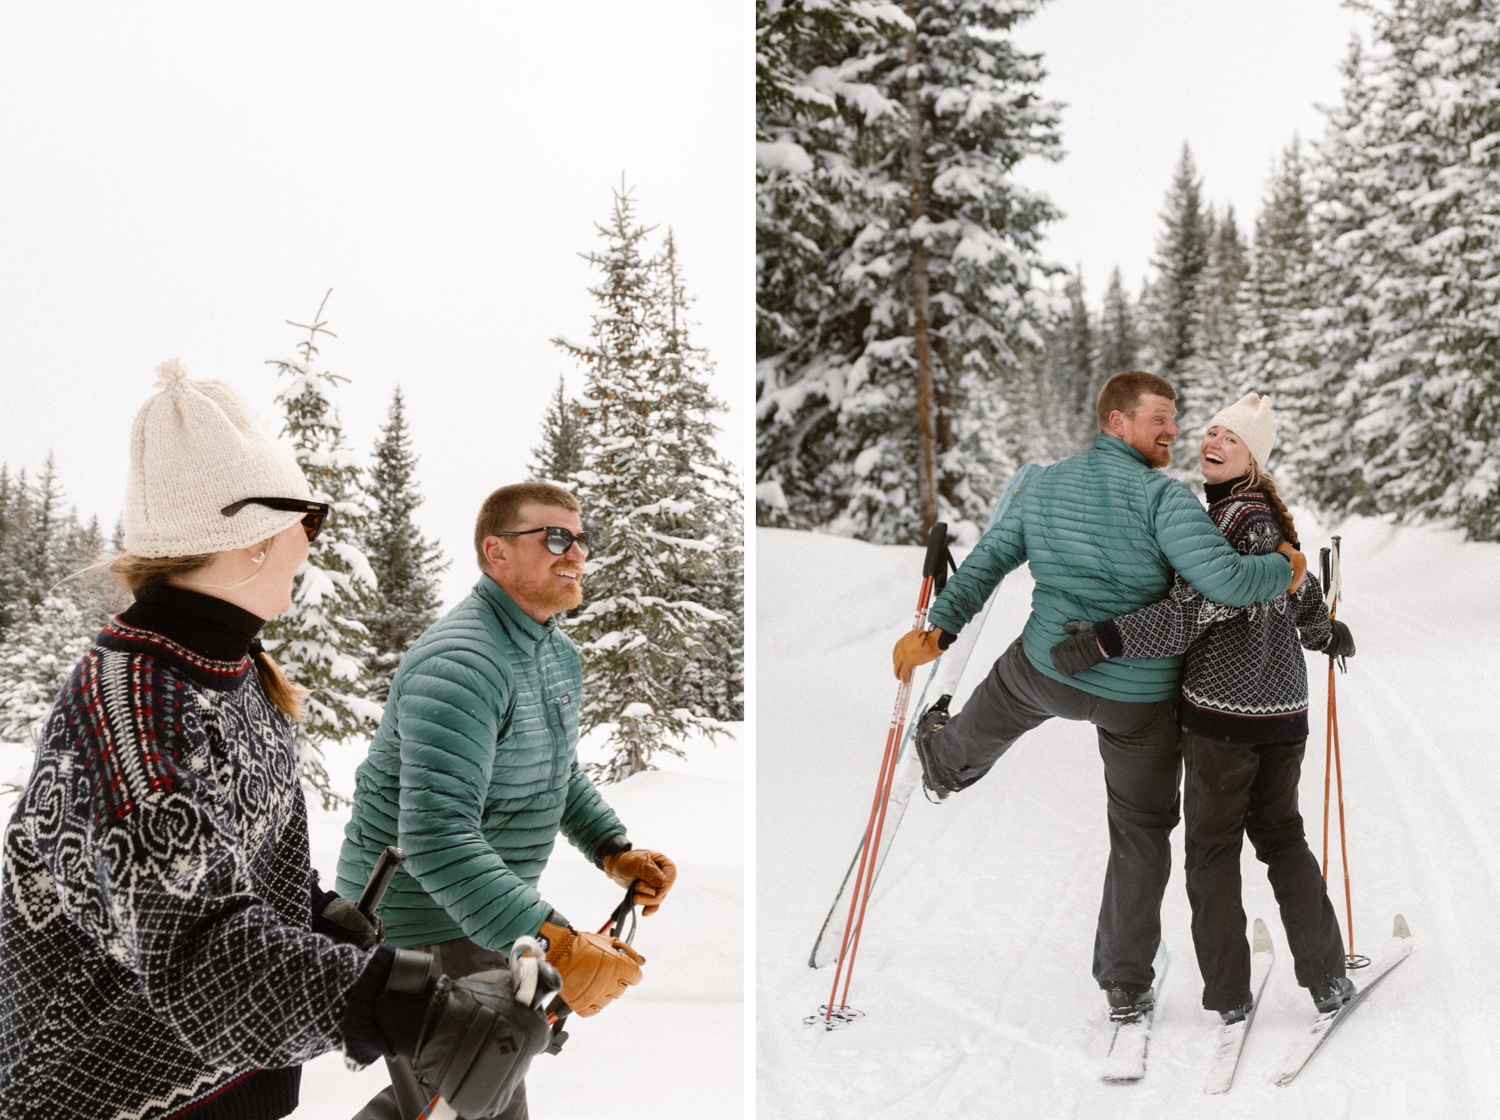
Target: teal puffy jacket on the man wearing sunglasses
<point>473,773</point>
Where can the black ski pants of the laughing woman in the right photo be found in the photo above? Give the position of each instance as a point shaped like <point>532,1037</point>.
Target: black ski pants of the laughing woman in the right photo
<point>1237,791</point>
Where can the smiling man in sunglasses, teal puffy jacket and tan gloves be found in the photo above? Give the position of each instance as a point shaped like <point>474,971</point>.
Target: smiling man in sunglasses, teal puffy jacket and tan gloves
<point>475,773</point>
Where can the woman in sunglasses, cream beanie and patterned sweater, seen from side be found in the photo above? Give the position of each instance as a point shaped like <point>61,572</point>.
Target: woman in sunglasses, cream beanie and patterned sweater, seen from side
<point>157,882</point>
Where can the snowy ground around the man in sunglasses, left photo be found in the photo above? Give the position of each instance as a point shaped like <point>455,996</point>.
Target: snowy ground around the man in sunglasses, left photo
<point>674,1046</point>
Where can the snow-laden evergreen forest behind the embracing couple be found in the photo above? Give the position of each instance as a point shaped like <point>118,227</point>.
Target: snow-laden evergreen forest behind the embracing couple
<point>914,346</point>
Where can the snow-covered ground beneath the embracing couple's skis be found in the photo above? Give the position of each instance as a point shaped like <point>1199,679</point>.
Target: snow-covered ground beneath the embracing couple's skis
<point>974,968</point>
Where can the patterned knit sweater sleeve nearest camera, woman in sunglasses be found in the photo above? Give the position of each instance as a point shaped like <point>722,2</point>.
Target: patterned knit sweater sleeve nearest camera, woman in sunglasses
<point>160,884</point>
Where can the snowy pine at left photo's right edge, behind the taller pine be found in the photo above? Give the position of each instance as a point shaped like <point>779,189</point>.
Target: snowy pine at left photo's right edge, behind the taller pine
<point>712,683</point>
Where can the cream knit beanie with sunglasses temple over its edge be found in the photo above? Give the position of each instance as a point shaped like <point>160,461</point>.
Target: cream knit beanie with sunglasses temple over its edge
<point>197,448</point>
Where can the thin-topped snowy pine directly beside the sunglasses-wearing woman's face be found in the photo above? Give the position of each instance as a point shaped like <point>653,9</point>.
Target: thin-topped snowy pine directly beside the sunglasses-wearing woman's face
<point>323,642</point>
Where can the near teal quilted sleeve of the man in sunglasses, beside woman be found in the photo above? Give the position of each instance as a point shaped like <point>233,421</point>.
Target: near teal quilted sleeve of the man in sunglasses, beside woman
<point>449,717</point>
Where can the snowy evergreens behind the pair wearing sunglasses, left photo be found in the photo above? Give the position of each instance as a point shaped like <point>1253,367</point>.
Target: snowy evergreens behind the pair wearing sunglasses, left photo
<point>661,629</point>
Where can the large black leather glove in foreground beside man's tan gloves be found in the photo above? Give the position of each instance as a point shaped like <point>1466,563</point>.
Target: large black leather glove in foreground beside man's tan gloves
<point>467,1040</point>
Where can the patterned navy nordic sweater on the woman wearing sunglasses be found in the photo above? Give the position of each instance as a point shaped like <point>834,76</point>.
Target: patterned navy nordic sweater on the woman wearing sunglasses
<point>155,948</point>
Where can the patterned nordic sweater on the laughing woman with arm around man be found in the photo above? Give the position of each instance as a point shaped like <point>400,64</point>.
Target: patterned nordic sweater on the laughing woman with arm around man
<point>1244,677</point>
